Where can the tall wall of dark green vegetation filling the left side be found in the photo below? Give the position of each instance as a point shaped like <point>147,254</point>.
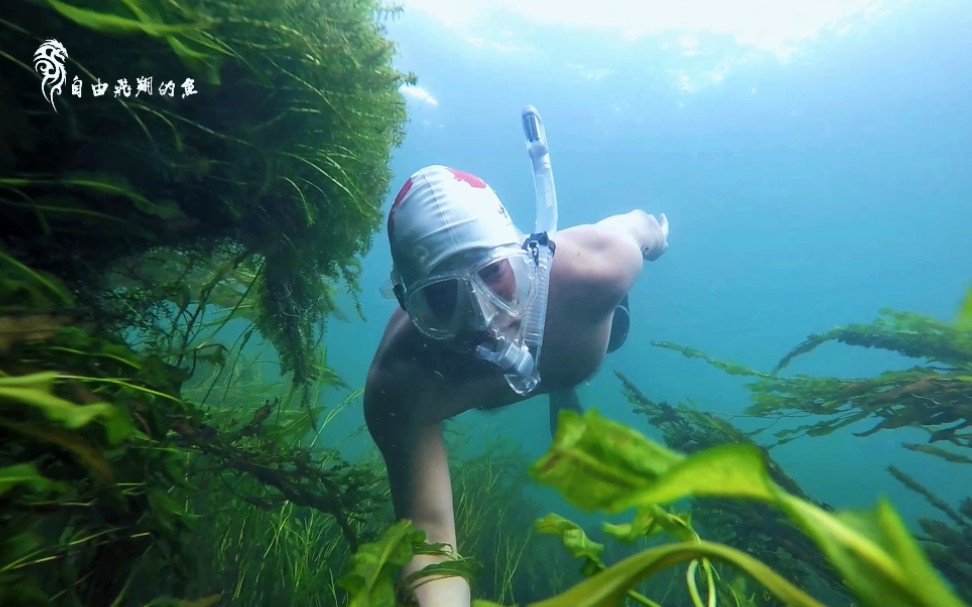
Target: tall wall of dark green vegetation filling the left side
<point>149,244</point>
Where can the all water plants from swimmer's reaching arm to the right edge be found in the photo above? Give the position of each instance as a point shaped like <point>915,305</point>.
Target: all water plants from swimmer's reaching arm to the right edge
<point>769,529</point>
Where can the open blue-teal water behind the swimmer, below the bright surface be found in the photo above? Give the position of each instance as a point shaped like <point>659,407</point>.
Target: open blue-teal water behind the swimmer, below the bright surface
<point>802,193</point>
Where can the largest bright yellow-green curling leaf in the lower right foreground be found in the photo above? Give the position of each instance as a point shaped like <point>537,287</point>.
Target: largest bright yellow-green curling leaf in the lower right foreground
<point>873,551</point>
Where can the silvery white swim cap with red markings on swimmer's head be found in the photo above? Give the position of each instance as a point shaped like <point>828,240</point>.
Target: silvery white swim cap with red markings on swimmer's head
<point>445,216</point>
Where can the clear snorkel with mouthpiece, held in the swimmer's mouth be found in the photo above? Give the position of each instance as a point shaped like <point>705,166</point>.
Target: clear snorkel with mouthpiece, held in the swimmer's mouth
<point>520,359</point>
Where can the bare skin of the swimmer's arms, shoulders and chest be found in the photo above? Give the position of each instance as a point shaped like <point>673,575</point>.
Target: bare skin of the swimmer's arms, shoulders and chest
<point>414,383</point>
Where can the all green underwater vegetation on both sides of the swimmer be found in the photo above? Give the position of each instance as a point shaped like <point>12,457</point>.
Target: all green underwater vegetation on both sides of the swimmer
<point>158,252</point>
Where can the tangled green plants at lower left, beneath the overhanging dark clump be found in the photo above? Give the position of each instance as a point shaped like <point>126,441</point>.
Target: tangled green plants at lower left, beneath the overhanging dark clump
<point>109,476</point>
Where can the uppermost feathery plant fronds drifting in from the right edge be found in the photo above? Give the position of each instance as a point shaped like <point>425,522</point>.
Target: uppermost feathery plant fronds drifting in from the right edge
<point>936,398</point>
